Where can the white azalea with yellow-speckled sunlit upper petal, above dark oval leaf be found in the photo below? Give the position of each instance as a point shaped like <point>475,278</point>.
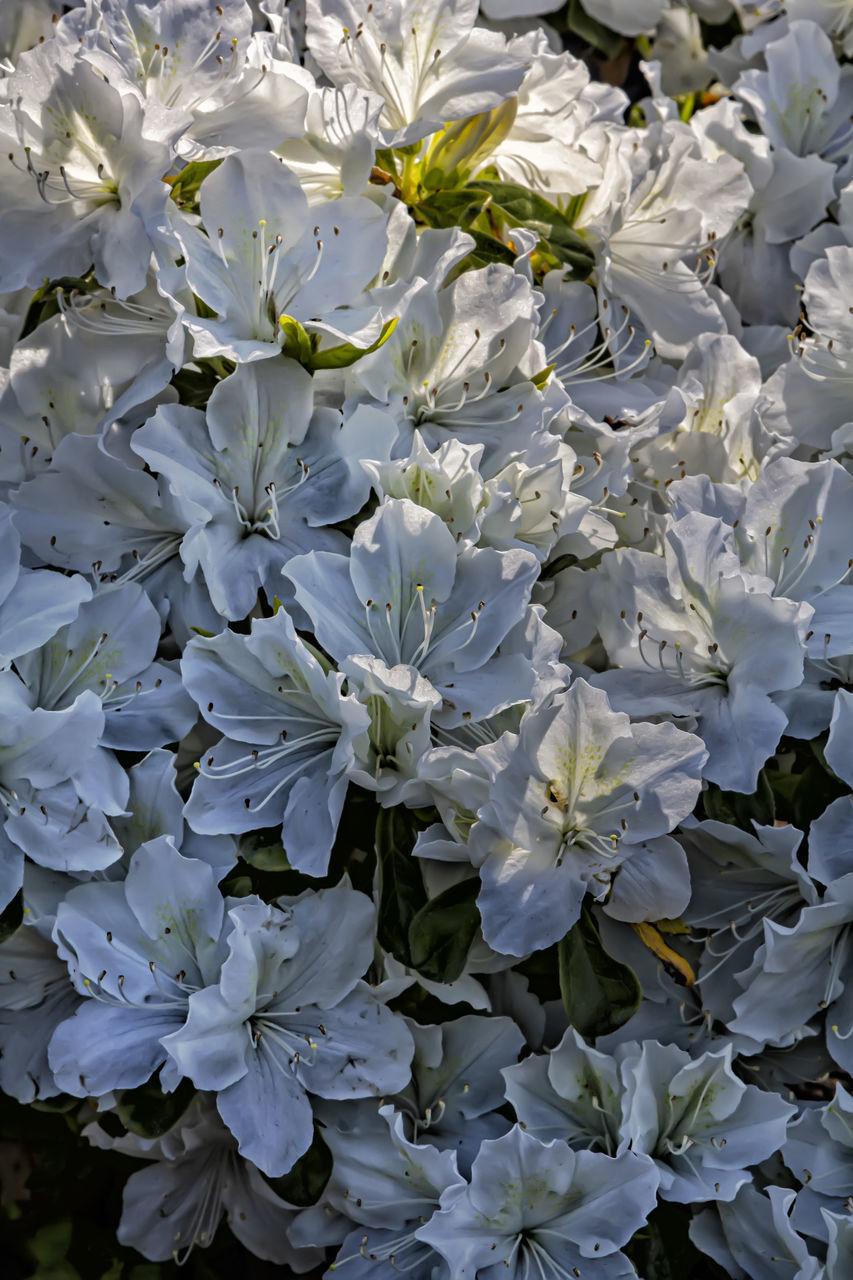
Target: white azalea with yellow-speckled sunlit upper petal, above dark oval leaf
<point>569,801</point>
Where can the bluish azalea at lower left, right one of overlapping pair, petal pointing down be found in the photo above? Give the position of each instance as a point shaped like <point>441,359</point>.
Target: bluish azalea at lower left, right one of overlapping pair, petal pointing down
<point>288,1017</point>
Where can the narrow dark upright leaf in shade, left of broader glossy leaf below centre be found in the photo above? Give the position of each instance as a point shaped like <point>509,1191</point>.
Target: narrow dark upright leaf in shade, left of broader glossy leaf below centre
<point>402,884</point>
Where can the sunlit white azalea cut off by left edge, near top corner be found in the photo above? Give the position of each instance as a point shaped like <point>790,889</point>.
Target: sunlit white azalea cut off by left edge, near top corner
<point>83,163</point>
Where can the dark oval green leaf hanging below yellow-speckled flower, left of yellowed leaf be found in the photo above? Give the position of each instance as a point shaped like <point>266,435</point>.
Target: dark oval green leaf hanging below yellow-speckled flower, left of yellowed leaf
<point>600,994</point>
